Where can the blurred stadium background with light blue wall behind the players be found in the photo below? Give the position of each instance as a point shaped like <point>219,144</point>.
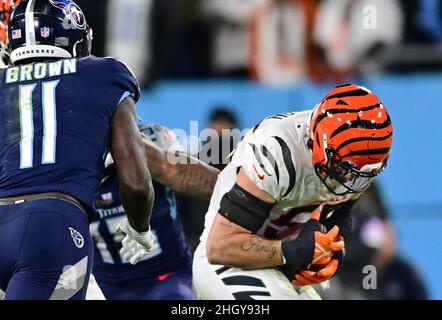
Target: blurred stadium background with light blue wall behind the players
<point>246,59</point>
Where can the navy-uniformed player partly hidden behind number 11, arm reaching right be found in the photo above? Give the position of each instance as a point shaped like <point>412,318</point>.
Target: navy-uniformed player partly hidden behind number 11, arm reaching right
<point>166,273</point>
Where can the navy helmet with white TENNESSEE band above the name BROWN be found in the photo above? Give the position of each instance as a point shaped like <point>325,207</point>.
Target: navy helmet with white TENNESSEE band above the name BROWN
<point>48,29</point>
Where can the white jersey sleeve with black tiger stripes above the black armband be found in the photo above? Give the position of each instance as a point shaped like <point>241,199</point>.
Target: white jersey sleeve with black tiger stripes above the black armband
<point>263,161</point>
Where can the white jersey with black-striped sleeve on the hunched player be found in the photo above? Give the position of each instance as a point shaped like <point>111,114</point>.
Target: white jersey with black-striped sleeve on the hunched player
<point>275,156</point>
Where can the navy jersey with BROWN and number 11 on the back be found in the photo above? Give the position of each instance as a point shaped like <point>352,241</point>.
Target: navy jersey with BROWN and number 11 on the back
<point>55,123</point>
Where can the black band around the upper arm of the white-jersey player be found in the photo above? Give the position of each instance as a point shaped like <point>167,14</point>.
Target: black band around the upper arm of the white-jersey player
<point>244,209</point>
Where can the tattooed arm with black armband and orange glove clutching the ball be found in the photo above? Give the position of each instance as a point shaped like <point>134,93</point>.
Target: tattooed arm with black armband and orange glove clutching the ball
<point>242,211</point>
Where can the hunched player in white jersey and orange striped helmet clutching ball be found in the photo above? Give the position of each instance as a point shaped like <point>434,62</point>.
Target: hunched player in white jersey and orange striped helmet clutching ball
<point>281,210</point>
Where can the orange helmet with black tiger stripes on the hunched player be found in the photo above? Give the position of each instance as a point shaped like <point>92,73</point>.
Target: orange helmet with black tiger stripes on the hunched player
<point>350,135</point>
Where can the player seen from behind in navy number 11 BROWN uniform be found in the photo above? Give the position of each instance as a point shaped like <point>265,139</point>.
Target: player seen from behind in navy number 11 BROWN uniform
<point>60,112</point>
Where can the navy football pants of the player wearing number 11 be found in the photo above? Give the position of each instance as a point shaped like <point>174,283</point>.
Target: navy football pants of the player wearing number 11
<point>45,250</point>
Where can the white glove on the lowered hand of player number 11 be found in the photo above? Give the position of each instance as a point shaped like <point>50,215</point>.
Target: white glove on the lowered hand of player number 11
<point>136,245</point>
